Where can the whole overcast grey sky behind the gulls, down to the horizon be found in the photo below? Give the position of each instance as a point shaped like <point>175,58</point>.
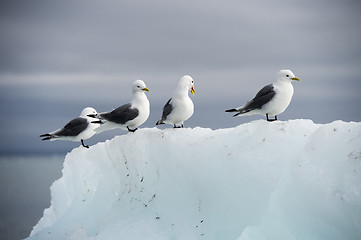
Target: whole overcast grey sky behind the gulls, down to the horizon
<point>57,57</point>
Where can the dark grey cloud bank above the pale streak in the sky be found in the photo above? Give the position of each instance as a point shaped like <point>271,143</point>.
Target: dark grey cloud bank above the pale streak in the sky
<point>128,36</point>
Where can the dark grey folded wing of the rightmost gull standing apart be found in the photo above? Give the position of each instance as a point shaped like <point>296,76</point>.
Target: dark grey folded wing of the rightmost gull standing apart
<point>262,97</point>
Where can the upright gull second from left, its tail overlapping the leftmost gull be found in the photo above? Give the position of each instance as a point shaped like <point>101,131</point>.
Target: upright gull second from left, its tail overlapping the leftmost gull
<point>130,115</point>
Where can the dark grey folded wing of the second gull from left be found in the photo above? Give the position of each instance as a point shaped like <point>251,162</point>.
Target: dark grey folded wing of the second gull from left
<point>121,115</point>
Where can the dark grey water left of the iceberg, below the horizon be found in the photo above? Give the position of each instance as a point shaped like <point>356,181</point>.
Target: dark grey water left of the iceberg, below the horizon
<point>25,192</point>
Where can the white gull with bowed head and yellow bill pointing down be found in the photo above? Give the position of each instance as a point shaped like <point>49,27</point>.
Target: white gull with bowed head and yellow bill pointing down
<point>180,107</point>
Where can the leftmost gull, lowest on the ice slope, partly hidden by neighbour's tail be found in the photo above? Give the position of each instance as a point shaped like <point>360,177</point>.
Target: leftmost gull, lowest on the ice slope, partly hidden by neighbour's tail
<point>80,128</point>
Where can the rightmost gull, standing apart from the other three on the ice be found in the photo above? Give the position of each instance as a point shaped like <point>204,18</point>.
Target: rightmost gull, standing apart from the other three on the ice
<point>272,99</point>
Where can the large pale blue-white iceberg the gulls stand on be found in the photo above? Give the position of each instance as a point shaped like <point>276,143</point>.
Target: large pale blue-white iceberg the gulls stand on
<point>261,180</point>
